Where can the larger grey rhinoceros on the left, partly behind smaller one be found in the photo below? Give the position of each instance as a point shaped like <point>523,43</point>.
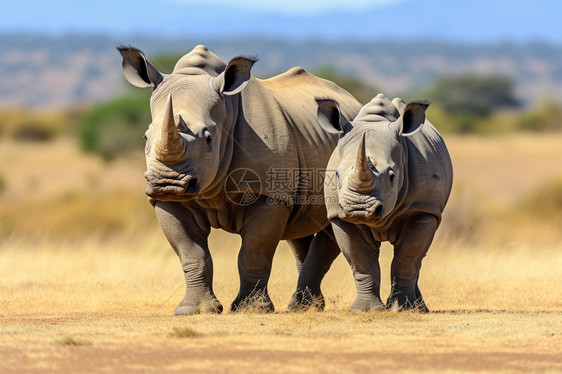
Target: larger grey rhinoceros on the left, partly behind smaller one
<point>209,120</point>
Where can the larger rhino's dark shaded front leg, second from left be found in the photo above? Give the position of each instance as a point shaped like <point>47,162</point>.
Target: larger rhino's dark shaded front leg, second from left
<point>263,227</point>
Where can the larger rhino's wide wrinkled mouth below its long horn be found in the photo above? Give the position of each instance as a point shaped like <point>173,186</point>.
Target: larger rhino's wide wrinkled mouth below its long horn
<point>171,186</point>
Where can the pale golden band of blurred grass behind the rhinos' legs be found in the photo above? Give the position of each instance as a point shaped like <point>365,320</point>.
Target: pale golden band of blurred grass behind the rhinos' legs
<point>112,278</point>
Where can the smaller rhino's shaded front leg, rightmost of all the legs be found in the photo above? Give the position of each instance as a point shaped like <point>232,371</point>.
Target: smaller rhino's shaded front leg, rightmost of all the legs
<point>409,250</point>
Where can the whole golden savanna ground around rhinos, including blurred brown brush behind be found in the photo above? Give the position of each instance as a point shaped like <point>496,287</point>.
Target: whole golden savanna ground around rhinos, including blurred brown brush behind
<point>88,283</point>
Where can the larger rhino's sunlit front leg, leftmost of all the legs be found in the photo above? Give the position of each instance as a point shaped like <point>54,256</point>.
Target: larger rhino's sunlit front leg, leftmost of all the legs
<point>188,238</point>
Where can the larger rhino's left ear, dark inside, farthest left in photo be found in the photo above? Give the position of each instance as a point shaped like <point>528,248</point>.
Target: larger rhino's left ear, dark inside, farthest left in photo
<point>137,70</point>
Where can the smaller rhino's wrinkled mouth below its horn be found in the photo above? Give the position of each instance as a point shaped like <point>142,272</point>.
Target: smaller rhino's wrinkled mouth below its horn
<point>360,208</point>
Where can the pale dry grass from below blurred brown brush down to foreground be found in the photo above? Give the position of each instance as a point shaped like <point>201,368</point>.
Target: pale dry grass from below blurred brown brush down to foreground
<point>492,309</point>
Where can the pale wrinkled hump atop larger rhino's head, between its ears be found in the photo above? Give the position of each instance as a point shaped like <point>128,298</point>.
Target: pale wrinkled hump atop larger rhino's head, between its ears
<point>200,60</point>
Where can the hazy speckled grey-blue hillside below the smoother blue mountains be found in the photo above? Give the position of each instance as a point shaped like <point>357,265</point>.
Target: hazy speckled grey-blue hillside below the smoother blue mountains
<point>38,71</point>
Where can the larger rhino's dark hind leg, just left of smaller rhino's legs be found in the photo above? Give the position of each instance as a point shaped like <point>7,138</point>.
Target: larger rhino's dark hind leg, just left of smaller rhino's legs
<point>322,253</point>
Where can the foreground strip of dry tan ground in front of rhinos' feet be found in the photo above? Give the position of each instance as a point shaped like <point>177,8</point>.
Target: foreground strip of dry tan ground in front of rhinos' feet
<point>332,342</point>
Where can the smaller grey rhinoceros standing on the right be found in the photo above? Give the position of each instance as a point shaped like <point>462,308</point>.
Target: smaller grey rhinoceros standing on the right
<point>393,176</point>
